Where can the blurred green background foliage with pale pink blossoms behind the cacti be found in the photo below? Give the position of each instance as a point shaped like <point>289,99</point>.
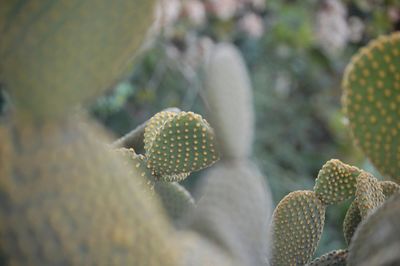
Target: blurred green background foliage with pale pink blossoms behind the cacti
<point>296,83</point>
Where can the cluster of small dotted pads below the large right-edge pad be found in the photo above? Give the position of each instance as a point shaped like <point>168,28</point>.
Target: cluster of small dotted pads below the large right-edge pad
<point>298,219</point>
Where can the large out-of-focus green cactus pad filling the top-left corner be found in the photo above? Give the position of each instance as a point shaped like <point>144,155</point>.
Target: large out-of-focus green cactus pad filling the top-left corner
<point>69,51</point>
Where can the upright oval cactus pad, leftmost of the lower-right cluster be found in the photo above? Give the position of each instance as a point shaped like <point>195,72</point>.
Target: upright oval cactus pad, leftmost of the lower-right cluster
<point>297,224</point>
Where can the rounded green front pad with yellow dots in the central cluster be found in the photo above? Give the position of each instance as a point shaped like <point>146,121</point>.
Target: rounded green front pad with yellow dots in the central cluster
<point>184,143</point>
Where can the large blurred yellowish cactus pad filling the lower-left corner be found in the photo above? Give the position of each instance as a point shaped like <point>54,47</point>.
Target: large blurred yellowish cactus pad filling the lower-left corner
<point>70,201</point>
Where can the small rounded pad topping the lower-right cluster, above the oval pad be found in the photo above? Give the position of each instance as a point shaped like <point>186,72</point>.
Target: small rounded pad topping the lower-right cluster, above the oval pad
<point>336,182</point>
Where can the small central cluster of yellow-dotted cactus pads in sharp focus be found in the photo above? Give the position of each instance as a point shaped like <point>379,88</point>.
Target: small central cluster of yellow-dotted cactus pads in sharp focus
<point>176,143</point>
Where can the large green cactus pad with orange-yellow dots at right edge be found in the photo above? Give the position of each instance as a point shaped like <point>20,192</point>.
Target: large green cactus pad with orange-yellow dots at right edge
<point>371,100</point>
